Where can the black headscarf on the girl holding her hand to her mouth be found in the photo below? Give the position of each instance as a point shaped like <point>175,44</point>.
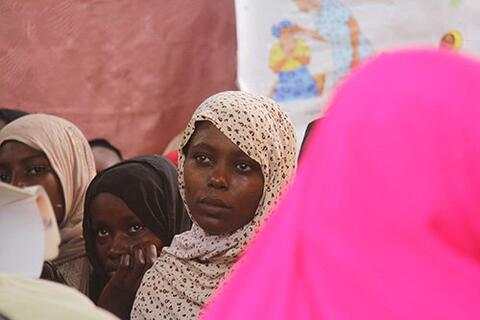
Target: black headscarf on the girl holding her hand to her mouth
<point>149,187</point>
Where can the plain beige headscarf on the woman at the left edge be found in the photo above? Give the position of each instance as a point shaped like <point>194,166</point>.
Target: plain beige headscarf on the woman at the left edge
<point>71,158</point>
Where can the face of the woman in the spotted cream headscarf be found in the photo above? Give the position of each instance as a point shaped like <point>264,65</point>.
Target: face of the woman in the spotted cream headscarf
<point>223,186</point>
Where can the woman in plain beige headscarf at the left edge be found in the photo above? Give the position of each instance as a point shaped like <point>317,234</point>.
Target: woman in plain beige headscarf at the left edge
<point>49,151</point>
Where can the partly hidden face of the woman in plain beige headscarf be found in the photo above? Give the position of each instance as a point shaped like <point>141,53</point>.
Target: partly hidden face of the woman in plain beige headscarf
<point>23,166</point>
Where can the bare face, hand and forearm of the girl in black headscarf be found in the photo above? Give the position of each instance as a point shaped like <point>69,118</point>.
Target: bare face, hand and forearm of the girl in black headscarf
<point>125,249</point>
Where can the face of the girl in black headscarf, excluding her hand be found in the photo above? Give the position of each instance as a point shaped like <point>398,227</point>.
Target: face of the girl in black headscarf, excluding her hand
<point>117,231</point>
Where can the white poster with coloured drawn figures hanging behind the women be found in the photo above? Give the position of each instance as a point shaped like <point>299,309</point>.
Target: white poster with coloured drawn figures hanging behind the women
<point>297,51</point>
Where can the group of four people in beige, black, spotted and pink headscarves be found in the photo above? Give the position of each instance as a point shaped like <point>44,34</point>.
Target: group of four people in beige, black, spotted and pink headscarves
<point>380,221</point>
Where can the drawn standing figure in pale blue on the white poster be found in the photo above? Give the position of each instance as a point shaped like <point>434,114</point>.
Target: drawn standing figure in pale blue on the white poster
<point>335,23</point>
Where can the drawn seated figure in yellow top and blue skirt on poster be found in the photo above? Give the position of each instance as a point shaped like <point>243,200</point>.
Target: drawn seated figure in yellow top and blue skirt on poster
<point>289,58</point>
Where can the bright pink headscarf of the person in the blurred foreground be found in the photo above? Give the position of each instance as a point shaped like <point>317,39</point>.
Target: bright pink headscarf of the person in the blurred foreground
<point>383,220</point>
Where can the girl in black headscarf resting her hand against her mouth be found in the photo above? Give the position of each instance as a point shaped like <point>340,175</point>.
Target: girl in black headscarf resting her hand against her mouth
<point>132,210</point>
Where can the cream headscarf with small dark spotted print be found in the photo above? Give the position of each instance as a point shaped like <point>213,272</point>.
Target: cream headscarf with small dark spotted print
<point>186,273</point>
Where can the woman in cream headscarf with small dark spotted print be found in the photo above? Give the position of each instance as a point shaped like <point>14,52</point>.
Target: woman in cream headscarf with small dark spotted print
<point>237,155</point>
